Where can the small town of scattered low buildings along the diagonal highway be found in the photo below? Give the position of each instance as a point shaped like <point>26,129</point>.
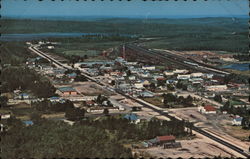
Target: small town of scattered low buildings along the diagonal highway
<point>137,92</point>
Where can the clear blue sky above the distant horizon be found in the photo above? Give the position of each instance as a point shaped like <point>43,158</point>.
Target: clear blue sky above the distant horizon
<point>116,8</point>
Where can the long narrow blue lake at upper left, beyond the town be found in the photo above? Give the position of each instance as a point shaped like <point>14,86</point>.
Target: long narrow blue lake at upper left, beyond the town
<point>37,36</point>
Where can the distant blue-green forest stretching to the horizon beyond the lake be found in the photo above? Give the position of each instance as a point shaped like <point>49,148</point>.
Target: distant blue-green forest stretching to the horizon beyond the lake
<point>226,34</point>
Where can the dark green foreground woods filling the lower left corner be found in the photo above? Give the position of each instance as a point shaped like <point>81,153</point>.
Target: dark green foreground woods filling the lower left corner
<point>101,138</point>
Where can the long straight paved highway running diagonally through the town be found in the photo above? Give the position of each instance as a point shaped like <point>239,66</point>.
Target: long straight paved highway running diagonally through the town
<point>147,105</point>
